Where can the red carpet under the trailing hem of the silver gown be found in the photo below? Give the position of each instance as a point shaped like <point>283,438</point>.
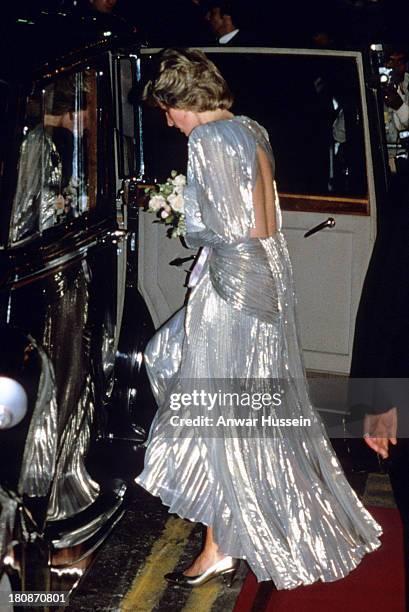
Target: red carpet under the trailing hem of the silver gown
<point>376,585</point>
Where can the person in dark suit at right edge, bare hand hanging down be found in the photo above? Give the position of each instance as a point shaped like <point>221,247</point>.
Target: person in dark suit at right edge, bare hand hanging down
<point>380,359</point>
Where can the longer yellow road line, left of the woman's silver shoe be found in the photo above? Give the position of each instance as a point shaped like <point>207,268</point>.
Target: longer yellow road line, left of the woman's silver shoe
<point>149,585</point>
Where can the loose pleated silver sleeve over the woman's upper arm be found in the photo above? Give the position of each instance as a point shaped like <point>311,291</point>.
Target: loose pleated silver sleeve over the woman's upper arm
<point>222,158</point>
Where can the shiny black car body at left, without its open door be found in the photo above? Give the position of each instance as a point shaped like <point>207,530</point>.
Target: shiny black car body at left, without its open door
<point>73,395</point>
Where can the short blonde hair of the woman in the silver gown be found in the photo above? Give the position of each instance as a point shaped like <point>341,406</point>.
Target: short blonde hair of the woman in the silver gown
<point>187,79</point>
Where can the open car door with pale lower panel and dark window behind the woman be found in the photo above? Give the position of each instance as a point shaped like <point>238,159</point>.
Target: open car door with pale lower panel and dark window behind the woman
<point>314,104</point>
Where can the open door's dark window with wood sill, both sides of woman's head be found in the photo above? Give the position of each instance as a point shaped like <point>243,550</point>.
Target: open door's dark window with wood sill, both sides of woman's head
<point>311,107</point>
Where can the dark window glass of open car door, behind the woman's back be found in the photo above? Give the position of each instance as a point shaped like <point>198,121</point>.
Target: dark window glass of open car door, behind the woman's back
<point>310,105</point>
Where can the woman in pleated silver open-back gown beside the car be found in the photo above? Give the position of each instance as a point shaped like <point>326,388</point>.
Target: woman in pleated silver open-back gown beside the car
<point>272,494</point>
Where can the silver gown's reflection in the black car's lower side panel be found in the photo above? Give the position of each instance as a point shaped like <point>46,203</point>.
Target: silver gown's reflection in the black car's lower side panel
<point>68,332</point>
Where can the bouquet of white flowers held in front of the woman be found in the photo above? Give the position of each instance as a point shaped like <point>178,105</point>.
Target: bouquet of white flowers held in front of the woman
<point>166,201</point>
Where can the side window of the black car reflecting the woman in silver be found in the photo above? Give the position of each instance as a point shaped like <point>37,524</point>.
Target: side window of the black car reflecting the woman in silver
<point>56,173</point>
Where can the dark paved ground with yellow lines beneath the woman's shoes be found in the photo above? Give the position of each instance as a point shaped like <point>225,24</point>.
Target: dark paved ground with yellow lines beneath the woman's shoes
<point>127,573</point>
